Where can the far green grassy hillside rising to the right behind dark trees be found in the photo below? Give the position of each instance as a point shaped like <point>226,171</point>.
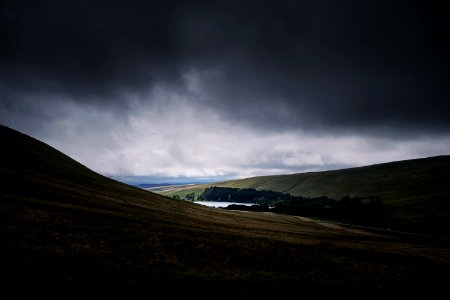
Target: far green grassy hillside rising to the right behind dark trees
<point>393,181</point>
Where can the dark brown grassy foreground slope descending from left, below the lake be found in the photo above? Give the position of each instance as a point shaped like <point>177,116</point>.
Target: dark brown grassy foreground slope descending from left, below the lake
<point>67,232</point>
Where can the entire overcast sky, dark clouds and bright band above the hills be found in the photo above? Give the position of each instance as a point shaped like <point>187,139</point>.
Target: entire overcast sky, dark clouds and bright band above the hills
<point>200,90</point>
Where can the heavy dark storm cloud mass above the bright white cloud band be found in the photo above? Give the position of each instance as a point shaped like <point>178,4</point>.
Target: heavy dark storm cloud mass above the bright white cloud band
<point>328,65</point>
